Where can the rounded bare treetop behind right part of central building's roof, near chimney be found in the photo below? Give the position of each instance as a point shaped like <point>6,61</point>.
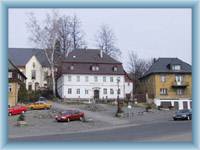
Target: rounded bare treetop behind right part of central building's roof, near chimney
<point>105,40</point>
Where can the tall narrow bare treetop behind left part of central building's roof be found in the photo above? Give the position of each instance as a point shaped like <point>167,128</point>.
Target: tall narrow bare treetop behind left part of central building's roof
<point>76,33</point>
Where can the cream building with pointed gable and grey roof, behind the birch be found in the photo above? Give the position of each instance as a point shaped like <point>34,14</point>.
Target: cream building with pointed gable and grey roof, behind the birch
<point>34,65</point>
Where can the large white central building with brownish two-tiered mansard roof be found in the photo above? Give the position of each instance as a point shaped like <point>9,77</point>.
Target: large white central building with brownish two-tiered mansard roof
<point>91,74</point>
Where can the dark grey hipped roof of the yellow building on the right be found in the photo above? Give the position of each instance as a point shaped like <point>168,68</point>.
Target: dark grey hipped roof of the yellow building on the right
<point>163,65</point>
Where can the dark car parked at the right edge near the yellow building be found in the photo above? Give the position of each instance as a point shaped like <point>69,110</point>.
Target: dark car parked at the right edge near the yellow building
<point>183,114</point>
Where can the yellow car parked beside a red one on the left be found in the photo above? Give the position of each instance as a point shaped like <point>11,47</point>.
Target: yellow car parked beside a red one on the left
<point>39,105</point>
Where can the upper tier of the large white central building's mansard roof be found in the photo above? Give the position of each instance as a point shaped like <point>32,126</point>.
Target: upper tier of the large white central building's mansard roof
<point>89,55</point>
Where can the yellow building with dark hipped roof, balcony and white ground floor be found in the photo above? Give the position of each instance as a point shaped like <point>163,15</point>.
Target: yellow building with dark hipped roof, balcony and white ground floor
<point>169,83</point>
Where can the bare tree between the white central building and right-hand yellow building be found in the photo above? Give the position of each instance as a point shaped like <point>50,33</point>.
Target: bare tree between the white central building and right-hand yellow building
<point>137,67</point>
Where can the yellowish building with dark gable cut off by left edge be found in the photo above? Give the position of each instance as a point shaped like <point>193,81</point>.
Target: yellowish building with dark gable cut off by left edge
<point>16,79</point>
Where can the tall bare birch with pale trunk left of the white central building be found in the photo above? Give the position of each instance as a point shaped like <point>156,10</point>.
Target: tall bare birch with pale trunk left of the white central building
<point>45,36</point>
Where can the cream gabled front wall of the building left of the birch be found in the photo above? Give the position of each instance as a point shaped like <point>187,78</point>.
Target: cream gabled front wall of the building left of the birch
<point>33,65</point>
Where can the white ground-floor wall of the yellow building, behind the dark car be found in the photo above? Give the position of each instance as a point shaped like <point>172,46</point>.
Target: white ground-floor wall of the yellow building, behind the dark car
<point>180,102</point>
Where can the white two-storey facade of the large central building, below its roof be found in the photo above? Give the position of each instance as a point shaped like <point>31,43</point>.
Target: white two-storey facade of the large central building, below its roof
<point>74,86</point>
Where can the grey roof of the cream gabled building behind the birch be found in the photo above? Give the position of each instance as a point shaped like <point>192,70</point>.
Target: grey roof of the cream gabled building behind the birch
<point>20,56</point>
